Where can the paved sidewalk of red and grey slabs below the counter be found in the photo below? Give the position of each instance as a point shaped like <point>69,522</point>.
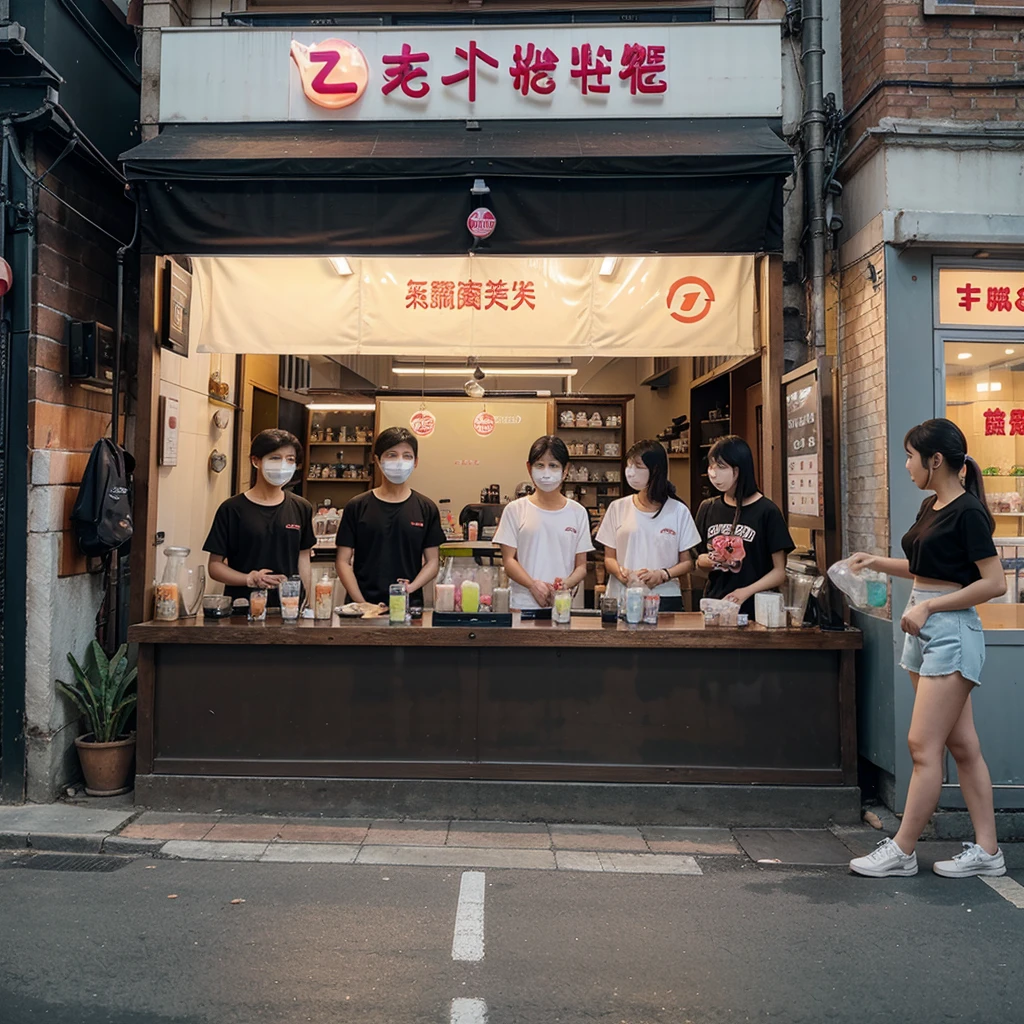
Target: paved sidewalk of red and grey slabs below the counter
<point>649,850</point>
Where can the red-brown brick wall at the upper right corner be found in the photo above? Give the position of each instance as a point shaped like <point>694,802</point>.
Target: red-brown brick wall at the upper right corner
<point>886,40</point>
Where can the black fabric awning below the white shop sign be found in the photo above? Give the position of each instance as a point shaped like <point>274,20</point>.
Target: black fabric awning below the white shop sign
<point>559,188</point>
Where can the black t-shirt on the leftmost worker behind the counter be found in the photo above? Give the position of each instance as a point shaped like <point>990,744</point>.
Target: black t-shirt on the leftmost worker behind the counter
<point>262,537</point>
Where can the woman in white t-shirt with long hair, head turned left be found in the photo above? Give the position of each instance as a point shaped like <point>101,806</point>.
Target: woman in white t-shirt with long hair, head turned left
<point>650,534</point>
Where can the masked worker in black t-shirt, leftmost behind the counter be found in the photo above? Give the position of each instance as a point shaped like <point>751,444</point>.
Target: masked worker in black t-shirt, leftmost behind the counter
<point>265,535</point>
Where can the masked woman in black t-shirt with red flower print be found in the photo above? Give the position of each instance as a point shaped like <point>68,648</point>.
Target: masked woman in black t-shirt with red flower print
<point>744,537</point>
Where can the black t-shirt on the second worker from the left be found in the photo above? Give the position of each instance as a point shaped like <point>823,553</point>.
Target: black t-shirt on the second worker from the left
<point>389,540</point>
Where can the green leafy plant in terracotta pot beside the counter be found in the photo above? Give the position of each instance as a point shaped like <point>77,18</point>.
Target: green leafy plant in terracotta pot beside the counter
<point>103,692</point>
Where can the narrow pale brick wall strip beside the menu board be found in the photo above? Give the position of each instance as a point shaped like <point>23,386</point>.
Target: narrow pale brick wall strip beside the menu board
<point>863,375</point>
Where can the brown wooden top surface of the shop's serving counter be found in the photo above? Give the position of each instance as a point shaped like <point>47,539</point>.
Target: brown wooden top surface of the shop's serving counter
<point>674,630</point>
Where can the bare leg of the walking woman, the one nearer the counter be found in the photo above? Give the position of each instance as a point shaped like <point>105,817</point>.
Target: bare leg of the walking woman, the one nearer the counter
<point>938,705</point>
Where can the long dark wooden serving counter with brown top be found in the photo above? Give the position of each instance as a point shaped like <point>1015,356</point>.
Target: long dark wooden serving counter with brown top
<point>676,703</point>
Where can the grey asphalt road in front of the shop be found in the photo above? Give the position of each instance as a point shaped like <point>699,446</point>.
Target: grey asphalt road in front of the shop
<point>374,946</point>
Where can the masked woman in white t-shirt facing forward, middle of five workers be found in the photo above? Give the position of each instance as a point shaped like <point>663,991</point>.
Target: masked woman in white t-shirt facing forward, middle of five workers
<point>545,536</point>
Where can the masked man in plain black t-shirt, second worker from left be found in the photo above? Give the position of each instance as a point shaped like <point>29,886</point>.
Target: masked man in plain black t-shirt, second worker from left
<point>393,533</point>
